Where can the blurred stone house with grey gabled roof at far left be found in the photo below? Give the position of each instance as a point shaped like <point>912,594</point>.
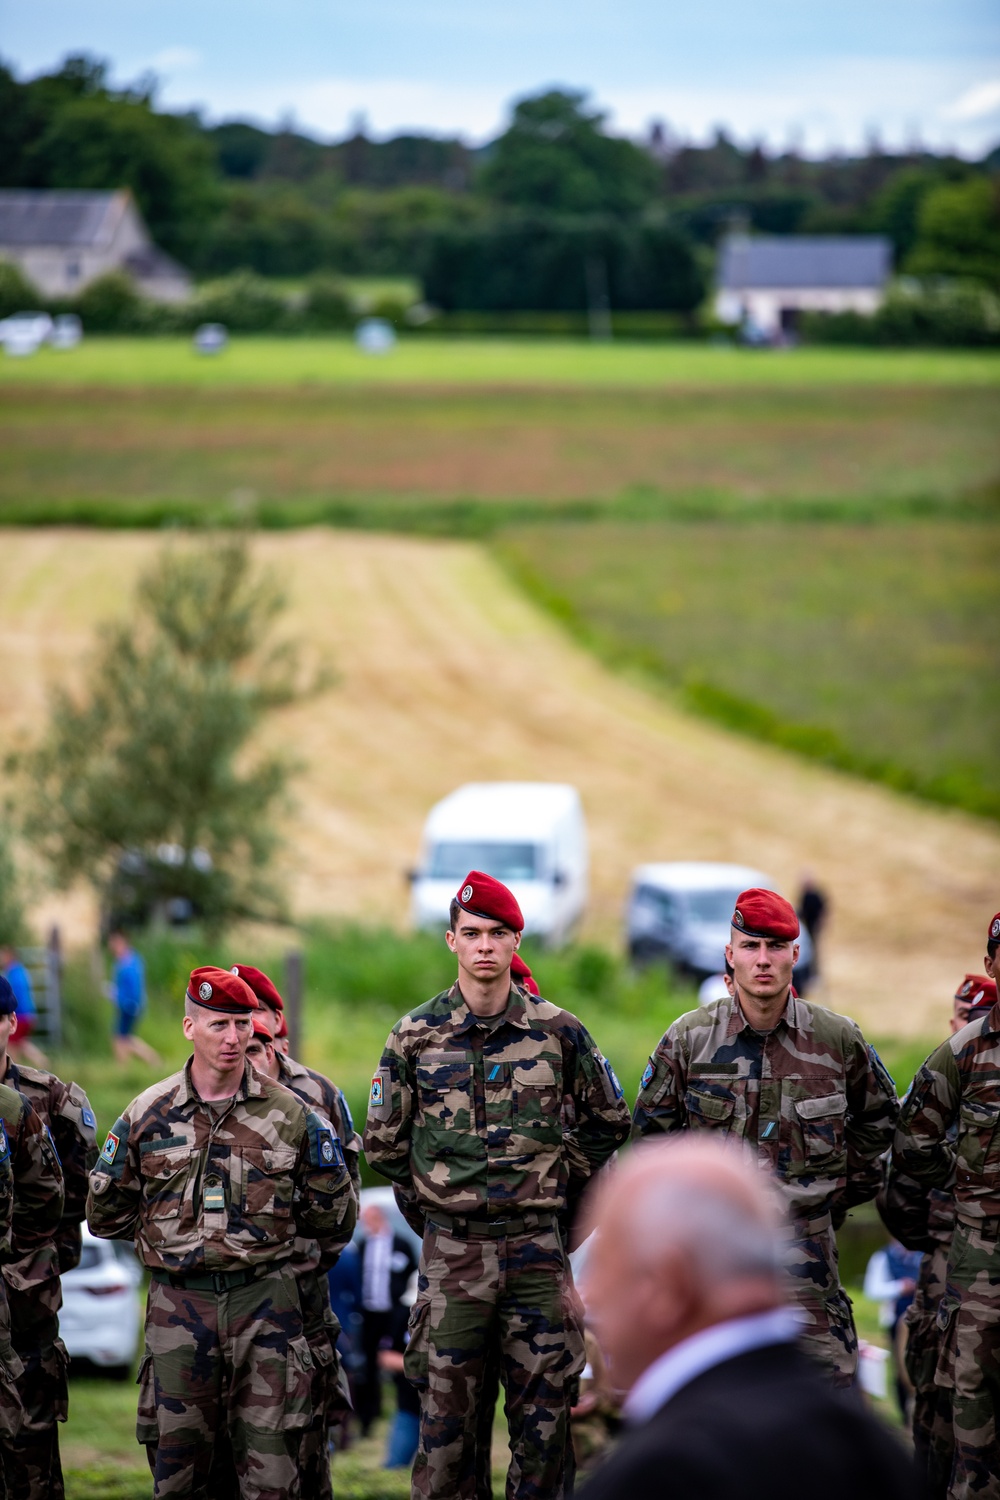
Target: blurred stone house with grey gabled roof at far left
<point>62,241</point>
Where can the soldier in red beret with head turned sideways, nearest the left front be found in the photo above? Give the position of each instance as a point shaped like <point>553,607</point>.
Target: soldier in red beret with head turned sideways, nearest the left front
<point>215,1174</point>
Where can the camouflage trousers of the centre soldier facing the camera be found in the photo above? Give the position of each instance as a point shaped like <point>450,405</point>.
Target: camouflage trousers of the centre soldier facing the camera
<point>509,1300</point>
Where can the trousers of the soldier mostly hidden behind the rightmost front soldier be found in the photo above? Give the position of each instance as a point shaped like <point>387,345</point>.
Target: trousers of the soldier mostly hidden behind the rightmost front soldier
<point>933,1442</point>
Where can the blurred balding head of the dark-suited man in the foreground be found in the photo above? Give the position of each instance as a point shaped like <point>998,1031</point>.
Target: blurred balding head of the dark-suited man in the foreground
<point>687,1237</point>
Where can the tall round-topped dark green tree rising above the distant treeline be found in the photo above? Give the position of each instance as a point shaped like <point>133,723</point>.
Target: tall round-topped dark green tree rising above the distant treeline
<point>557,158</point>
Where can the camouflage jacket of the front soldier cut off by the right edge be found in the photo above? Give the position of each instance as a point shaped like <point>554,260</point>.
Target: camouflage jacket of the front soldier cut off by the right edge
<point>957,1087</point>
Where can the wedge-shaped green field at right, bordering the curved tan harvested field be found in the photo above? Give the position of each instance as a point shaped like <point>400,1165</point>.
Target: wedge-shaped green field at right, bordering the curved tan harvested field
<point>878,638</point>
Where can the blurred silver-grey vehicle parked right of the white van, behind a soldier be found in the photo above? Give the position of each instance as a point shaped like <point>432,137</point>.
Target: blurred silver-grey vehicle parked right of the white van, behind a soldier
<point>681,913</point>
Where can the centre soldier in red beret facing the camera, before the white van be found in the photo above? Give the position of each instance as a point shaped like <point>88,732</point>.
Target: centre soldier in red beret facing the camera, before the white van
<point>490,1114</point>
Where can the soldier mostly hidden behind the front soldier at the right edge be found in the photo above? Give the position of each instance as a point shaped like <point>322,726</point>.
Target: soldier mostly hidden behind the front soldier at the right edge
<point>924,1219</point>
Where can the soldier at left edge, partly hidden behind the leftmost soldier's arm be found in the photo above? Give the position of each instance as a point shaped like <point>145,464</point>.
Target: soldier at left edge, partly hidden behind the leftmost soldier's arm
<point>34,1288</point>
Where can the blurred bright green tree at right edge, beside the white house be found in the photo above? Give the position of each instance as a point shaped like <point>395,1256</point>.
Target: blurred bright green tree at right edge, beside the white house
<point>959,233</point>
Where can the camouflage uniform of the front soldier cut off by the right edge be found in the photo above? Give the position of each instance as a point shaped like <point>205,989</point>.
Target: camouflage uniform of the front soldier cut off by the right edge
<point>960,1085</point>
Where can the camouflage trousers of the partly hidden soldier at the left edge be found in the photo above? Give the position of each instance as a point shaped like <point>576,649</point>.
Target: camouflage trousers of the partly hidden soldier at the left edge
<point>32,1460</point>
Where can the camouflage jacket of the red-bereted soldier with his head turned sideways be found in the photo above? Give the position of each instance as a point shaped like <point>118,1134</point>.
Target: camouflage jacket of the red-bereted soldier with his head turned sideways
<point>203,1190</point>
